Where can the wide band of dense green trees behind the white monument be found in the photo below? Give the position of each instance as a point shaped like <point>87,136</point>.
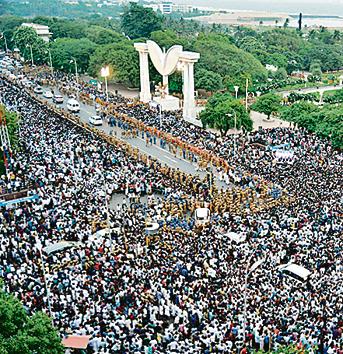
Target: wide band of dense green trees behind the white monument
<point>229,55</point>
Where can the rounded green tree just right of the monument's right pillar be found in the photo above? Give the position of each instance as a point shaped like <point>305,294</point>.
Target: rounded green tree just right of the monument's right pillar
<point>221,112</point>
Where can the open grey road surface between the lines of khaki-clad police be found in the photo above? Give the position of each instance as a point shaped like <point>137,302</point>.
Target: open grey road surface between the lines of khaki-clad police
<point>154,151</point>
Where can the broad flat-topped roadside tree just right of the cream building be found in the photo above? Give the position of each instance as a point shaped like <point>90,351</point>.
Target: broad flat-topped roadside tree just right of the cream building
<point>63,50</point>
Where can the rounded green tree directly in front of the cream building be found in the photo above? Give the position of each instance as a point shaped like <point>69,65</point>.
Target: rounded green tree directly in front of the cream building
<point>26,38</point>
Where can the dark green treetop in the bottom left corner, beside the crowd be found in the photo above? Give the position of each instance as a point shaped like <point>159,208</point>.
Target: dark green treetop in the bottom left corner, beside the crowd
<point>24,334</point>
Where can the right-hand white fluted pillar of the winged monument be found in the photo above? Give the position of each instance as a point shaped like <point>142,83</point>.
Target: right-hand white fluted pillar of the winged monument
<point>187,59</point>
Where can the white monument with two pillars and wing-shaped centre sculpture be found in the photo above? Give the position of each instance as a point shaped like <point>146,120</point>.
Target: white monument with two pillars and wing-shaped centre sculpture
<point>166,63</point>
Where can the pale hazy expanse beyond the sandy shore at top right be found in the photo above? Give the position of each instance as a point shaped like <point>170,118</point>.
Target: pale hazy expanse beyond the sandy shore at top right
<point>315,7</point>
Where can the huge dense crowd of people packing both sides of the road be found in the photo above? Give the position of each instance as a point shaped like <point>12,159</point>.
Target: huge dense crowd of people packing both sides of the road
<point>181,290</point>
